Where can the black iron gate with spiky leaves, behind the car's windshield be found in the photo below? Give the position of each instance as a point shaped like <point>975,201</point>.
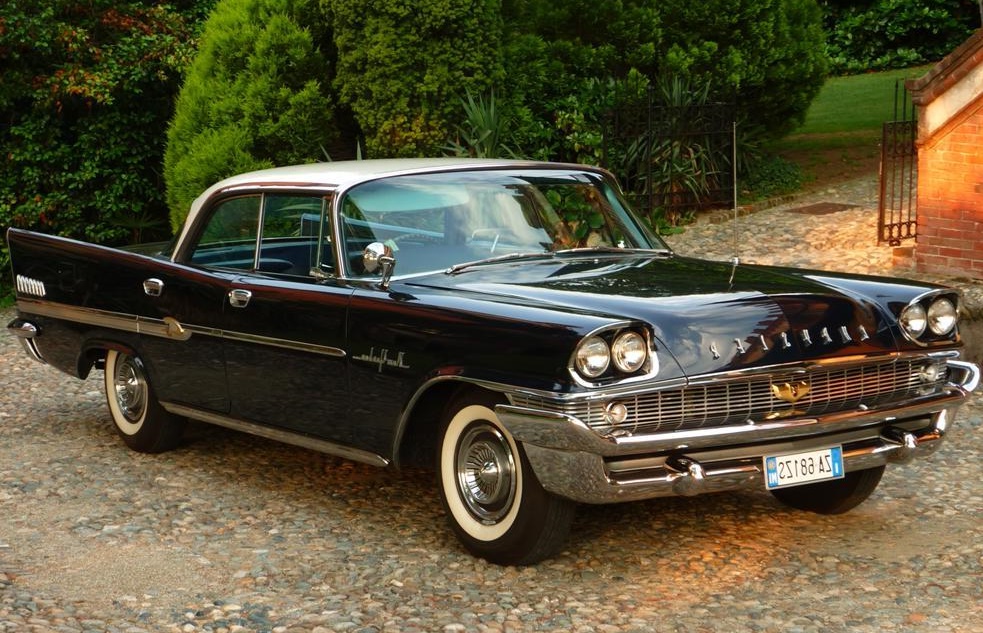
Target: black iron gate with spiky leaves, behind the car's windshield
<point>671,160</point>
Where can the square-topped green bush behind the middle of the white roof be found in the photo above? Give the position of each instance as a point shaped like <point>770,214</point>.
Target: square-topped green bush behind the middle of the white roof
<point>403,67</point>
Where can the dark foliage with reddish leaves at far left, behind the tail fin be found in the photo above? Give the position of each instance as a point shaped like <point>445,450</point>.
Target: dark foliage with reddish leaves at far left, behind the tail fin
<point>85,95</point>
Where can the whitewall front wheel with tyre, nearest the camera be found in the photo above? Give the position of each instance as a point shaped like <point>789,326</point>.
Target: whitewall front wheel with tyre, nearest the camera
<point>495,504</point>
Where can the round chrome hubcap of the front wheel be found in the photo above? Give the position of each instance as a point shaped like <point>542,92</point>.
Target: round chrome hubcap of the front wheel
<point>486,473</point>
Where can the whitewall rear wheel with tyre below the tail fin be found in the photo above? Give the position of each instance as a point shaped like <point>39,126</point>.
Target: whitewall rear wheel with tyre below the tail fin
<point>143,424</point>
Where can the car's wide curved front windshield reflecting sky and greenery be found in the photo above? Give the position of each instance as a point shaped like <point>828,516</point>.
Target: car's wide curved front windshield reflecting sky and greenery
<point>439,221</point>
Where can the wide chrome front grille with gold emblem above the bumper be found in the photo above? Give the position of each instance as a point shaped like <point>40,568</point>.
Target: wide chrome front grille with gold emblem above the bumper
<point>735,401</point>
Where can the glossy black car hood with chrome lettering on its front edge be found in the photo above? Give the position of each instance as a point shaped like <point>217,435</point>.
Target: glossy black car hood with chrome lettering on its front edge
<point>710,316</point>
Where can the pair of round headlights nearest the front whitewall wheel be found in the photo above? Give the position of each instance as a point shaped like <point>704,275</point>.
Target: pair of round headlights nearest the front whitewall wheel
<point>613,354</point>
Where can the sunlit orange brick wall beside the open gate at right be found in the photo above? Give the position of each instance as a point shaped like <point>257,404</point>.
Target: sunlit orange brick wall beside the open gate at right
<point>950,198</point>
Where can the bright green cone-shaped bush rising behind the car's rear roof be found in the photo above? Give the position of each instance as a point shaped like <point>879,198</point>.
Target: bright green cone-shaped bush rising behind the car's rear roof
<point>257,95</point>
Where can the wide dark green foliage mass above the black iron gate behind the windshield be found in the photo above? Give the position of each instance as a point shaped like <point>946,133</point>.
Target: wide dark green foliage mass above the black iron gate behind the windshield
<point>764,55</point>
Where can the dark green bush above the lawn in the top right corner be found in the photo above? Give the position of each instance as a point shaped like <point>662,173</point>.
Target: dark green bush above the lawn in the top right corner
<point>885,34</point>
